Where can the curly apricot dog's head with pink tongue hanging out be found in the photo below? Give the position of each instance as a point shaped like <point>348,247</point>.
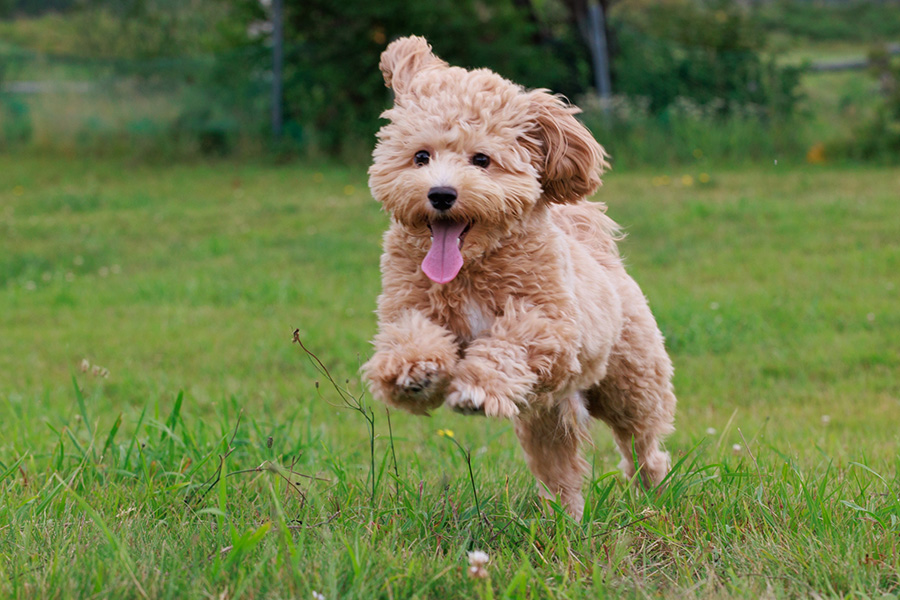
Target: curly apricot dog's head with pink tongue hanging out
<point>468,156</point>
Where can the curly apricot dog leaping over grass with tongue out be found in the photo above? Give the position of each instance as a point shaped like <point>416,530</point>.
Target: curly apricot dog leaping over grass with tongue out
<point>503,292</point>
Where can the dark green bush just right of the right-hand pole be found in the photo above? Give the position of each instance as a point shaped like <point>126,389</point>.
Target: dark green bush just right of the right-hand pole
<point>708,52</point>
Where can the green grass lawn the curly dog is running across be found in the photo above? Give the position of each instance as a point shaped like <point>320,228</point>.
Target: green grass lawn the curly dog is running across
<point>214,460</point>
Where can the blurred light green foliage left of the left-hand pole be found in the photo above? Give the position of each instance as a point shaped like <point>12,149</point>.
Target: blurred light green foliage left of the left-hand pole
<point>163,78</point>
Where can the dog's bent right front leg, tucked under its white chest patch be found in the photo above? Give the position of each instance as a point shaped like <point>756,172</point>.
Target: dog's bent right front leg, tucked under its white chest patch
<point>525,350</point>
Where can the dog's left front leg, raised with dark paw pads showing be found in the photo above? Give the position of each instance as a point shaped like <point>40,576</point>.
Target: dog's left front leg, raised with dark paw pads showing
<point>412,362</point>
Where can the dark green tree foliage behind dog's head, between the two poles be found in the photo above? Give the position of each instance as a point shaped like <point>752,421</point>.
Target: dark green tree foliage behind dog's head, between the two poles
<point>334,91</point>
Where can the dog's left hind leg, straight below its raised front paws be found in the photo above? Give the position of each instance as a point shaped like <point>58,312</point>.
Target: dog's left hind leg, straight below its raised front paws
<point>550,437</point>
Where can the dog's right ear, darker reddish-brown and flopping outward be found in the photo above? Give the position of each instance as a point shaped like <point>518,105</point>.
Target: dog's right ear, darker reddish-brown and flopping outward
<point>567,156</point>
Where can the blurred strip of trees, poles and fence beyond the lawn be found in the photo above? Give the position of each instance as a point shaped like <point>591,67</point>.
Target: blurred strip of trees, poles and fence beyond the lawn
<point>661,83</point>
